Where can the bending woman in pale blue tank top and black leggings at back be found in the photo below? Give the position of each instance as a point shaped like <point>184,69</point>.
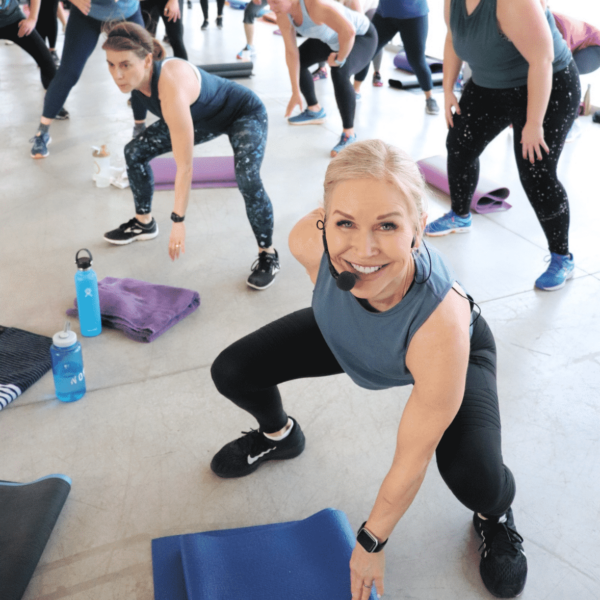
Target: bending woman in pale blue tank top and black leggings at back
<point>344,38</point>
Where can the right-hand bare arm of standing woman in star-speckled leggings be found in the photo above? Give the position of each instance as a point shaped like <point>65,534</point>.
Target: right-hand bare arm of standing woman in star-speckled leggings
<point>525,24</point>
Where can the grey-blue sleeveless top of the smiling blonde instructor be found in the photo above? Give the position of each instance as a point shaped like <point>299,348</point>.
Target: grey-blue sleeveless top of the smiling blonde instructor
<point>371,347</point>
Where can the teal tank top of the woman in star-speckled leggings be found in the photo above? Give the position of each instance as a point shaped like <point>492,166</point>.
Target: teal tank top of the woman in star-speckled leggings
<point>493,58</point>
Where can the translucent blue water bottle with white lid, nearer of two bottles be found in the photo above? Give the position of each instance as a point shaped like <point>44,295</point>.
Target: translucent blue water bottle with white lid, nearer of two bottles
<point>67,365</point>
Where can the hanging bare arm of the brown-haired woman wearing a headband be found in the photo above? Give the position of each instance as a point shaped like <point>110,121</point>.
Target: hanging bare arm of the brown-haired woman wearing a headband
<point>178,88</point>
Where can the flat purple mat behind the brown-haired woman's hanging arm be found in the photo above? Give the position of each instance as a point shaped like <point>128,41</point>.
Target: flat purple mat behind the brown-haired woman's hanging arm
<point>209,172</point>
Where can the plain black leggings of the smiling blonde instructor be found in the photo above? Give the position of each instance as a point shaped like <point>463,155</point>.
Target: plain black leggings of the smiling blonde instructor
<point>469,455</point>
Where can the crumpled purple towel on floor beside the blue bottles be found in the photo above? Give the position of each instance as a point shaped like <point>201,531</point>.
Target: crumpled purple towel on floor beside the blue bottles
<point>142,310</point>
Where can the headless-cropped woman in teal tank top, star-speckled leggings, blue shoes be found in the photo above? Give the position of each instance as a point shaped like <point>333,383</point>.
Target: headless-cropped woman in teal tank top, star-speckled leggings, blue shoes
<point>524,76</point>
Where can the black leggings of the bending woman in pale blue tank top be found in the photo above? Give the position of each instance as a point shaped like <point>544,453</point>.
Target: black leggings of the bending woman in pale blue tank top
<point>314,51</point>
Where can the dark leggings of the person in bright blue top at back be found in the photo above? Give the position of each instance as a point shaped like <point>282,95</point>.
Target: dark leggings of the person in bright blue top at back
<point>414,36</point>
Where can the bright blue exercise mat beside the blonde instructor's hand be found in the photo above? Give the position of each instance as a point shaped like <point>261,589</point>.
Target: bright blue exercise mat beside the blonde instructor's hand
<point>299,560</point>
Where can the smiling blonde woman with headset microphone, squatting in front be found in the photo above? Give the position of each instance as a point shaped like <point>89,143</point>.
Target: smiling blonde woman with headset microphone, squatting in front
<point>388,312</point>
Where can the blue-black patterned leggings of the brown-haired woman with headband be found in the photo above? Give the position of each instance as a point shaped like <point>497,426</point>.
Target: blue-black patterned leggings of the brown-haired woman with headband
<point>248,137</point>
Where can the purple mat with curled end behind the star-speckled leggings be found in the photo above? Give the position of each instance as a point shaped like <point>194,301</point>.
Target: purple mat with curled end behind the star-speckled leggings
<point>488,197</point>
